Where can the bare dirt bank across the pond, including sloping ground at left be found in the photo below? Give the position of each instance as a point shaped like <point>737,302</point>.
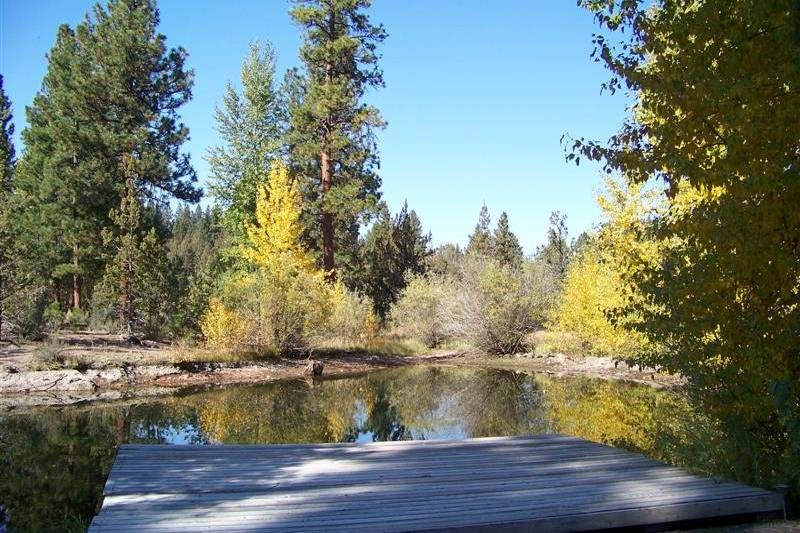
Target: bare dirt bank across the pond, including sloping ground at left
<point>112,370</point>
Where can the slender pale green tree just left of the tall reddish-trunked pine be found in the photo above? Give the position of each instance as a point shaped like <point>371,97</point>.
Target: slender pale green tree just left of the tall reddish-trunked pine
<point>252,126</point>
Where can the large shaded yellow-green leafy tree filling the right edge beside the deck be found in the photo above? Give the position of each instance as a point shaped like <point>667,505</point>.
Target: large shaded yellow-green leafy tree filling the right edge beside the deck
<point>716,89</point>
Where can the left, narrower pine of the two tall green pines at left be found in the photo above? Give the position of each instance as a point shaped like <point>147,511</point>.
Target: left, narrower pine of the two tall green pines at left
<point>55,178</point>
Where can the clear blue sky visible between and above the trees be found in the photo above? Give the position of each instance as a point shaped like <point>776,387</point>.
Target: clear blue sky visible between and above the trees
<point>477,96</point>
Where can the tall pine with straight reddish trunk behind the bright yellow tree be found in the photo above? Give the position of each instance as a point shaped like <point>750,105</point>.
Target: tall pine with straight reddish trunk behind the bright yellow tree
<point>332,139</point>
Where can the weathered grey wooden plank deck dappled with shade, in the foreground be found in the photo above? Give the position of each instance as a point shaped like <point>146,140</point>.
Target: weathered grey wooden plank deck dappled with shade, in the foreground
<point>543,483</point>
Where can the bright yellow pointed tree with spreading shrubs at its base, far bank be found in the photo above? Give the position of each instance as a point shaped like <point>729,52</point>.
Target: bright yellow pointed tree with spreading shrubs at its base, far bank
<point>281,302</point>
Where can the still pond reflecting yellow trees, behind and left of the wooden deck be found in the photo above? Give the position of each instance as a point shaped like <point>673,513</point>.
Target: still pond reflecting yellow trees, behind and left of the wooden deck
<point>54,461</point>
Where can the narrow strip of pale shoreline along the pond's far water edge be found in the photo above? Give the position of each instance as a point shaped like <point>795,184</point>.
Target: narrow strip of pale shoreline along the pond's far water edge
<point>20,390</point>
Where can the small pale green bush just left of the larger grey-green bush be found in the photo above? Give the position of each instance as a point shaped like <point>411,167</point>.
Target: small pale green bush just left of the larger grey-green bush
<point>419,311</point>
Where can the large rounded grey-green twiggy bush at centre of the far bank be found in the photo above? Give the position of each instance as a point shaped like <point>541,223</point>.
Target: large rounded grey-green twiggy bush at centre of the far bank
<point>497,306</point>
